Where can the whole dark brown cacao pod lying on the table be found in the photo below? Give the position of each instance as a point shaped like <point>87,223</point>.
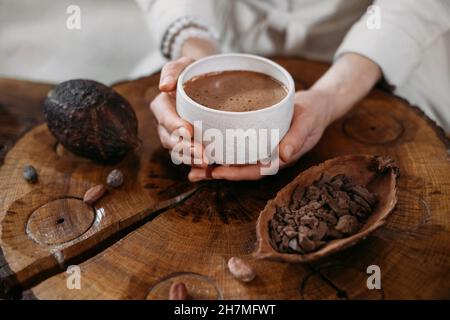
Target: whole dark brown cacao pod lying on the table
<point>91,120</point>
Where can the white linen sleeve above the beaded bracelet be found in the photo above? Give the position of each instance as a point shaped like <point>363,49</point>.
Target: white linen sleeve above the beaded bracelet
<point>161,14</point>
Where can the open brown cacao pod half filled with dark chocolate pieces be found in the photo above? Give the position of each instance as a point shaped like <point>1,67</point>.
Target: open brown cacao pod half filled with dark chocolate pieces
<point>377,175</point>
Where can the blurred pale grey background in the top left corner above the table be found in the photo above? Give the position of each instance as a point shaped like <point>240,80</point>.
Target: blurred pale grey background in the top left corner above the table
<point>113,43</point>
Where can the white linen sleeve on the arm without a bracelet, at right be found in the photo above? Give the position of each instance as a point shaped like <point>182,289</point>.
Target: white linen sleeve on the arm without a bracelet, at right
<point>406,29</point>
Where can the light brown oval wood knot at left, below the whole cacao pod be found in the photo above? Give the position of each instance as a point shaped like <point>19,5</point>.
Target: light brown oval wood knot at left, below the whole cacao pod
<point>60,221</point>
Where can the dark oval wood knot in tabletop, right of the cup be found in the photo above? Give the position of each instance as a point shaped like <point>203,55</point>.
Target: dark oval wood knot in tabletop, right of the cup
<point>373,128</point>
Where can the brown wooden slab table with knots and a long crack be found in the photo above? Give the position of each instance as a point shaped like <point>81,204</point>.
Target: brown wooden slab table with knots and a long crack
<point>159,228</point>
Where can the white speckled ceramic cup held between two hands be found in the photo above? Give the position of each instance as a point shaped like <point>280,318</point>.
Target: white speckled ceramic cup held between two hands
<point>209,122</point>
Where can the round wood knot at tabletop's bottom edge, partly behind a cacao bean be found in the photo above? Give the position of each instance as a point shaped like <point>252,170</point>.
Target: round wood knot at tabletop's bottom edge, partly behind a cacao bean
<point>199,287</point>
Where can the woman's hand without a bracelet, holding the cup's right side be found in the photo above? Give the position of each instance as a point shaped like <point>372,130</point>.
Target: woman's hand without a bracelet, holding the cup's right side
<point>348,80</point>
